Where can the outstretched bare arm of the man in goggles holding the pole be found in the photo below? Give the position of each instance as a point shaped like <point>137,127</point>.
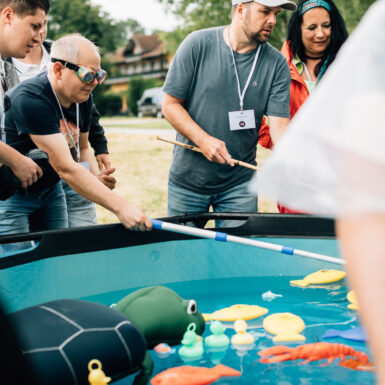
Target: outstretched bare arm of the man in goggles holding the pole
<point>86,184</point>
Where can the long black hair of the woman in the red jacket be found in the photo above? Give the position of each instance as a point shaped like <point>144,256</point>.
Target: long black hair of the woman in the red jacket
<point>338,36</point>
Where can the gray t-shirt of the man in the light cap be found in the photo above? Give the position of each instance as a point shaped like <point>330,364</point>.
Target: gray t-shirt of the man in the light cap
<point>202,74</point>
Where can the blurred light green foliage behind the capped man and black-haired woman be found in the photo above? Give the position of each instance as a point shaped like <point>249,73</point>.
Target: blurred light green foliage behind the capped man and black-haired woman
<point>199,14</point>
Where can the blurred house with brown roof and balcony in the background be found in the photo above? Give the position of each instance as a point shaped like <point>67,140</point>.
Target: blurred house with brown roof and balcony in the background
<point>142,56</point>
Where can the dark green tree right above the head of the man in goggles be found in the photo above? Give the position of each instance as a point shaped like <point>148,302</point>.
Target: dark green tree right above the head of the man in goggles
<point>80,16</point>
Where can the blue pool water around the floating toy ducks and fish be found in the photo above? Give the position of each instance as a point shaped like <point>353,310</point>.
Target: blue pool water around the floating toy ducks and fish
<point>320,306</point>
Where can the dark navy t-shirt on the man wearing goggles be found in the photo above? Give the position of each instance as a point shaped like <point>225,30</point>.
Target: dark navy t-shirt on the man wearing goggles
<point>31,108</point>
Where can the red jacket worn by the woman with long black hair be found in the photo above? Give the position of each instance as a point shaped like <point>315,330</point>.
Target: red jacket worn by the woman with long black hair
<point>298,94</point>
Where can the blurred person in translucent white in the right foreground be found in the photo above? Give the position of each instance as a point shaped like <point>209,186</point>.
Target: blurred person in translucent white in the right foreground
<point>331,162</point>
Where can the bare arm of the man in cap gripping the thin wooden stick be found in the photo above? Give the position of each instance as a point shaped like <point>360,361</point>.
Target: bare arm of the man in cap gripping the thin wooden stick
<point>212,148</point>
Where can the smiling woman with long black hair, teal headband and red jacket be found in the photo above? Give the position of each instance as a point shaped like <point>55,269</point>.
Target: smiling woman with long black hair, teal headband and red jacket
<point>316,32</point>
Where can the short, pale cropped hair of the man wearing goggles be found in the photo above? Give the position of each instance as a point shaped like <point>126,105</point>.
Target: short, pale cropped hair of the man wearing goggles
<point>68,47</point>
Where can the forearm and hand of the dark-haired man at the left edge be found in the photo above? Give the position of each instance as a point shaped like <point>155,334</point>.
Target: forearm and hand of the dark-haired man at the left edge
<point>25,169</point>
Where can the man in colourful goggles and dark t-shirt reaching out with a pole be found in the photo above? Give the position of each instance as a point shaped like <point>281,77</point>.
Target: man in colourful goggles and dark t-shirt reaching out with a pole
<point>52,112</point>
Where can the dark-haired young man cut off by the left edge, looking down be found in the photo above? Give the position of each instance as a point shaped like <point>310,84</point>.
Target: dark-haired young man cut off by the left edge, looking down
<point>21,23</point>
